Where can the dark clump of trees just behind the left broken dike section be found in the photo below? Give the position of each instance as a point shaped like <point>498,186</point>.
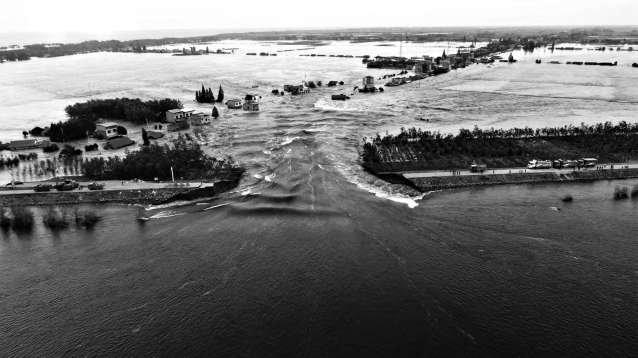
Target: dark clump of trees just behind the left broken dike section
<point>184,155</point>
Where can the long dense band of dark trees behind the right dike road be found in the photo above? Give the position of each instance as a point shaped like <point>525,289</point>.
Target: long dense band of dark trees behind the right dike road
<point>419,149</point>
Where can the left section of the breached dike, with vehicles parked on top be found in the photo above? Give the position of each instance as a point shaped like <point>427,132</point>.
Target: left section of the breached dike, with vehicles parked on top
<point>153,196</point>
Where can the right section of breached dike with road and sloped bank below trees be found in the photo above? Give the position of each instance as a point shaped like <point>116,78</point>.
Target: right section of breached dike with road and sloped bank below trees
<point>450,182</point>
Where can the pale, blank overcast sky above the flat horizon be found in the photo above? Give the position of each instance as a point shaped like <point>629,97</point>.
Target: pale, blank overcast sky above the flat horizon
<point>134,15</point>
